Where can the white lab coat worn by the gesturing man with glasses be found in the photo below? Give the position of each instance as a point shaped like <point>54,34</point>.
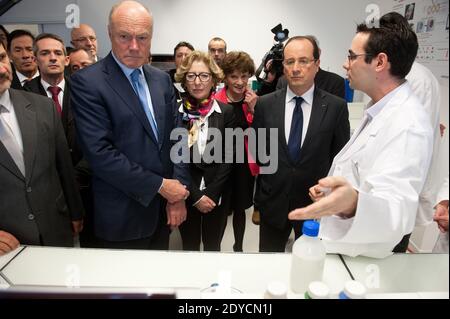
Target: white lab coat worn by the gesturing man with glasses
<point>387,164</point>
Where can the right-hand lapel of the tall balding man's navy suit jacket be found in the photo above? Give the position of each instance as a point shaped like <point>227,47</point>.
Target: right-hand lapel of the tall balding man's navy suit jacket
<point>157,96</point>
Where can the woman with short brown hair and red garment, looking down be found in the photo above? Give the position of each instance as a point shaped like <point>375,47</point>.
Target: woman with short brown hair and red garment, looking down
<point>238,67</point>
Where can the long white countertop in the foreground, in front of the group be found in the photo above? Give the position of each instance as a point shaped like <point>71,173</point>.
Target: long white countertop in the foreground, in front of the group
<point>191,273</point>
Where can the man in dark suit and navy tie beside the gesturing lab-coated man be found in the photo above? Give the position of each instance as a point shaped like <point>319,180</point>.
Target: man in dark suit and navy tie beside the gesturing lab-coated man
<point>312,127</point>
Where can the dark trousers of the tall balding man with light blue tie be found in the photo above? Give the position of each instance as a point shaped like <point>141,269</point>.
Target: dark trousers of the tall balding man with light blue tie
<point>159,240</point>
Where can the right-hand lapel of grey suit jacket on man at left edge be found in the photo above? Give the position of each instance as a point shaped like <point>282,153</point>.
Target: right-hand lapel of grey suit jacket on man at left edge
<point>26,117</point>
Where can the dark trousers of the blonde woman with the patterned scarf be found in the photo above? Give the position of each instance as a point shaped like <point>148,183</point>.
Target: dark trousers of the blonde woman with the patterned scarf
<point>207,228</point>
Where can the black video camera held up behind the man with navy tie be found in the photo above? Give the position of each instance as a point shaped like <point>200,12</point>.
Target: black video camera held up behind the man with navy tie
<point>272,61</point>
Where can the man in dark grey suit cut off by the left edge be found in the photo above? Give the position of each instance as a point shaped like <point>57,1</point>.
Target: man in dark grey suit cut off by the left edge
<point>38,197</point>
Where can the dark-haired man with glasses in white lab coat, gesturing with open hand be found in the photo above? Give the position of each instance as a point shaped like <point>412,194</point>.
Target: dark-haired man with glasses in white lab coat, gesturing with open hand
<point>368,204</point>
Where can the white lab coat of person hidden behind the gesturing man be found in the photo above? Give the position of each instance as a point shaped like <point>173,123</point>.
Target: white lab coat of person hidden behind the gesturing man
<point>426,87</point>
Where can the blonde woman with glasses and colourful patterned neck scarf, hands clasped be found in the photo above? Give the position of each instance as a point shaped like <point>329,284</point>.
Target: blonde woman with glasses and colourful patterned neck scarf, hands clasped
<point>204,116</point>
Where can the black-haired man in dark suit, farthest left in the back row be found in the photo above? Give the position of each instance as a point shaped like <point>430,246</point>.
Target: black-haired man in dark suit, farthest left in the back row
<point>20,51</point>
